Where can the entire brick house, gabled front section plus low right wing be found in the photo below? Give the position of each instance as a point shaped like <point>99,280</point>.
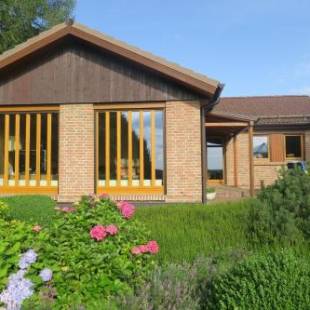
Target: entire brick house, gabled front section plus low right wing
<point>81,112</point>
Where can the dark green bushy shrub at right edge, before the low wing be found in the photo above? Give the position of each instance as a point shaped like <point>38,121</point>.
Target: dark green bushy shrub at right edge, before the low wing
<point>283,210</point>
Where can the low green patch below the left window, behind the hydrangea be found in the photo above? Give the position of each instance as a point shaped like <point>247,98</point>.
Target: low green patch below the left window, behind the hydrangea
<point>31,209</point>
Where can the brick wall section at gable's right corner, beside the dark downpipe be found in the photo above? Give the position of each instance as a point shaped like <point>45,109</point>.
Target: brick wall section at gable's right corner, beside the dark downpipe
<point>183,152</point>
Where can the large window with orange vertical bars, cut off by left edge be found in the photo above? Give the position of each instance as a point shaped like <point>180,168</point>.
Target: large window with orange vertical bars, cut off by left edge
<point>28,150</point>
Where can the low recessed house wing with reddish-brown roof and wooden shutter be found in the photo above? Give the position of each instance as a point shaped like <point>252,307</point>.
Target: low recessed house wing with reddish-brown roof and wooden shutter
<point>249,139</point>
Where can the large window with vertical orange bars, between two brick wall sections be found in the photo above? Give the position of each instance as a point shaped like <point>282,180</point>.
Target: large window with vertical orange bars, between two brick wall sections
<point>130,150</point>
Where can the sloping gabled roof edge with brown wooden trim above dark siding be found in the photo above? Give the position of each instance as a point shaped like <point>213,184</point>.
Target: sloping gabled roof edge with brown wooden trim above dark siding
<point>201,83</point>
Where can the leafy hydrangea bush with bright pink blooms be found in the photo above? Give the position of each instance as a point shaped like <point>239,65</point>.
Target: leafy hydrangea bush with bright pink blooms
<point>88,256</point>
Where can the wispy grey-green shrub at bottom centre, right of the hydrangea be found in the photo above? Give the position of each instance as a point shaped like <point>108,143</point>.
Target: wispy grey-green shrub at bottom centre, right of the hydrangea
<point>175,286</point>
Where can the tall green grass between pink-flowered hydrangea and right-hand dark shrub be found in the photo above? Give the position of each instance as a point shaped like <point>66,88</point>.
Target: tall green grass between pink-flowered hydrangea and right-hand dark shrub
<point>187,231</point>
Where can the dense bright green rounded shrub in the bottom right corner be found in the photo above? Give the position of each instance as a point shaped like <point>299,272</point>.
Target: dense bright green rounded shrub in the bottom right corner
<point>277,280</point>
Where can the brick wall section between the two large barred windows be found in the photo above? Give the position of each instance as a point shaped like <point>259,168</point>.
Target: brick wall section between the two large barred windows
<point>76,151</point>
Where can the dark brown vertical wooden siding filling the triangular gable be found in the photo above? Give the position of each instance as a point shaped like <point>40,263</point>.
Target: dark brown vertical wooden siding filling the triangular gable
<point>75,72</point>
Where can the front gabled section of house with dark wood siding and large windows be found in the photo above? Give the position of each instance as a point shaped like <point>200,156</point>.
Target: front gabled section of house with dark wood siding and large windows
<point>81,112</point>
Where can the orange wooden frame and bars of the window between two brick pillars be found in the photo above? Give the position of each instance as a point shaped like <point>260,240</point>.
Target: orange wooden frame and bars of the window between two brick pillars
<point>130,188</point>
